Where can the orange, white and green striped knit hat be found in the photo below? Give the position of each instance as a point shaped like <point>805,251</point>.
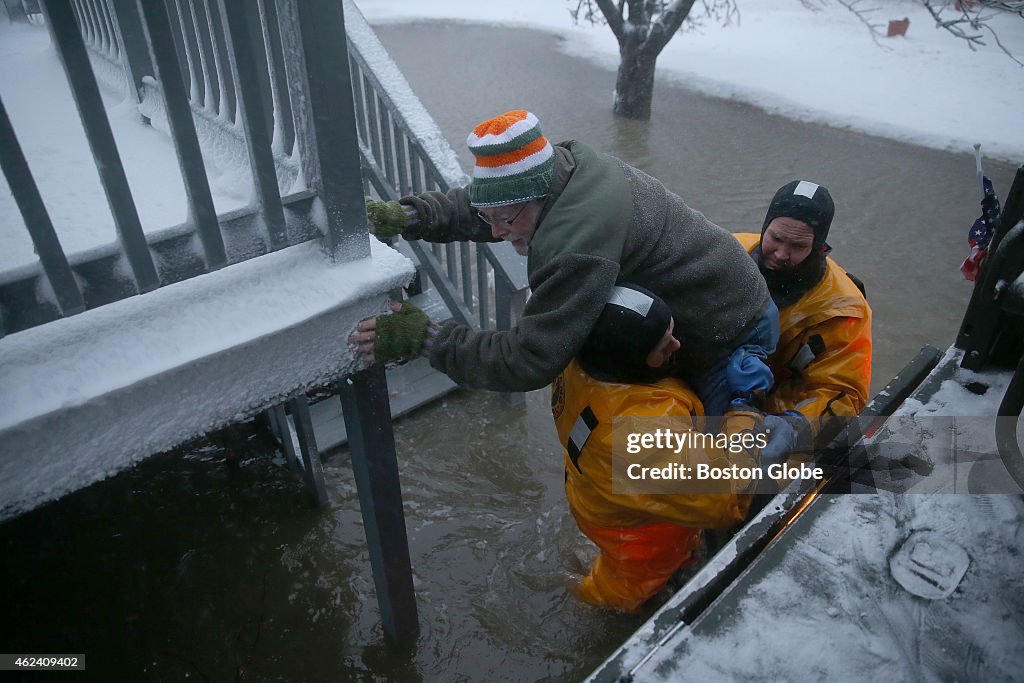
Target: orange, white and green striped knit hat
<point>515,160</point>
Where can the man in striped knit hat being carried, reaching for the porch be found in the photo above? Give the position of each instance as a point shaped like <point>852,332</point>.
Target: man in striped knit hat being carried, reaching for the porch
<point>586,221</point>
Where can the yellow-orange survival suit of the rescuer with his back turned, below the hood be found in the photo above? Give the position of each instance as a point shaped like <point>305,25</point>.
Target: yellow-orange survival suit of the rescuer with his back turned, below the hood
<point>644,538</point>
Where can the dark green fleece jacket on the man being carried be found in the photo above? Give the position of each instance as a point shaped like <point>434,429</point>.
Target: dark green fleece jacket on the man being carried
<point>604,223</point>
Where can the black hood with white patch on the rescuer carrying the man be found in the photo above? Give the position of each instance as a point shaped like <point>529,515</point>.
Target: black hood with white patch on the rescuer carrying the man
<point>629,328</point>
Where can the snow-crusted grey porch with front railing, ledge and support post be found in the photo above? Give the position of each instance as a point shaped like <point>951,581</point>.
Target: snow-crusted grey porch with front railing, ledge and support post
<point>101,391</point>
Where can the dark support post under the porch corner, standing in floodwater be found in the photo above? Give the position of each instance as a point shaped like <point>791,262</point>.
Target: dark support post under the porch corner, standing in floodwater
<point>368,420</point>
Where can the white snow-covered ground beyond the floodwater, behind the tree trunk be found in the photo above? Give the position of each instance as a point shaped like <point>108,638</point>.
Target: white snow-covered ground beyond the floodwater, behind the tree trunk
<point>928,88</point>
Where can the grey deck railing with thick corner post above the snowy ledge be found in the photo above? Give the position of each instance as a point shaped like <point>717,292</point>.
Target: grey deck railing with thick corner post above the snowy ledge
<point>236,88</point>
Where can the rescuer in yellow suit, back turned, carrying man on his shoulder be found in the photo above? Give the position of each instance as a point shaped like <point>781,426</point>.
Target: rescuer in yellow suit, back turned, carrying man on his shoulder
<point>620,378</point>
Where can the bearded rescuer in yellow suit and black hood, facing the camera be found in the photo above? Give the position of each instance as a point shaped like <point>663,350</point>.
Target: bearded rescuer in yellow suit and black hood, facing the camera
<point>823,367</point>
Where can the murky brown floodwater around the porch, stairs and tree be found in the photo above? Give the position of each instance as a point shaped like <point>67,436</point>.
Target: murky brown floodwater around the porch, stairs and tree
<point>190,568</point>
